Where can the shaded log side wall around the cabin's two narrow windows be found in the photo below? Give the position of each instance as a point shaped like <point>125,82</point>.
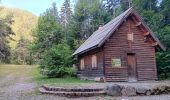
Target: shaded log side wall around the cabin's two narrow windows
<point>88,71</point>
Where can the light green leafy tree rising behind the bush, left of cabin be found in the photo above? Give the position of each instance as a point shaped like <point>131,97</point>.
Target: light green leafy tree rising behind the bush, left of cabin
<point>47,33</point>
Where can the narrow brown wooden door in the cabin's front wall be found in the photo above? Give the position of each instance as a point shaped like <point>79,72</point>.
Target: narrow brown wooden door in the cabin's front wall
<point>131,59</point>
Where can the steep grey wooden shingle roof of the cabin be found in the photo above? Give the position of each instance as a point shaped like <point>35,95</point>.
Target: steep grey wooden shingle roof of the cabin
<point>103,33</point>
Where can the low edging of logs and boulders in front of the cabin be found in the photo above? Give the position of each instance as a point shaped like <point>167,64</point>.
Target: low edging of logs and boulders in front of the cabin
<point>112,90</point>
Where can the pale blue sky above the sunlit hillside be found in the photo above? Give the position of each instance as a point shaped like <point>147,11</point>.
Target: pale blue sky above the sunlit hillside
<point>35,6</point>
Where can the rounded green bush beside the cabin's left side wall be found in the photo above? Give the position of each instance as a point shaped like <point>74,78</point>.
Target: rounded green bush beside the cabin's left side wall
<point>56,62</point>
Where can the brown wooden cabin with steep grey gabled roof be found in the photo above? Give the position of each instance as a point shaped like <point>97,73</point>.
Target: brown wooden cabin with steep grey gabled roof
<point>122,50</point>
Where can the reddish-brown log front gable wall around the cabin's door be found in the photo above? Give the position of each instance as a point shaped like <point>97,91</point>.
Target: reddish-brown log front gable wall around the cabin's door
<point>117,46</point>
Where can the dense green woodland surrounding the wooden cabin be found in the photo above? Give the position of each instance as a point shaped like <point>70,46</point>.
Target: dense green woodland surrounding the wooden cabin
<point>59,32</point>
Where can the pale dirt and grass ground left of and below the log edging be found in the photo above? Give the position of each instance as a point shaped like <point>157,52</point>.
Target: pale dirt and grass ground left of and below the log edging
<point>16,83</point>
